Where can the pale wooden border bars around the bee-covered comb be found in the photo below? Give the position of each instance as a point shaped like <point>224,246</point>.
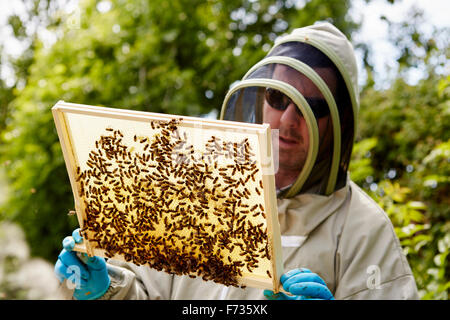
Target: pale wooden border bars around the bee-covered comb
<point>270,201</point>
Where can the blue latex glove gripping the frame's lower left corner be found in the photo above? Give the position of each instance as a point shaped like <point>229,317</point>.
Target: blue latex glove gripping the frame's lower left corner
<point>88,274</point>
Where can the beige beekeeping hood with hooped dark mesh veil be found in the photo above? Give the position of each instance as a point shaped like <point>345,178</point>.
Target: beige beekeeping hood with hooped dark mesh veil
<point>303,53</point>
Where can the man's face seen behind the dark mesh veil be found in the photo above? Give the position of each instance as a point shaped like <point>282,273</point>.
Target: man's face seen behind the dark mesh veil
<point>293,131</point>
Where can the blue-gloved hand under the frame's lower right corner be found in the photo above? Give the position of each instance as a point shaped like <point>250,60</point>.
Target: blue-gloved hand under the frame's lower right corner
<point>303,285</point>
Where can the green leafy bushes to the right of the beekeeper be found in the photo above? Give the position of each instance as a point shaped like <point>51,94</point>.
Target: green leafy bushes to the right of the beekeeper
<point>408,169</point>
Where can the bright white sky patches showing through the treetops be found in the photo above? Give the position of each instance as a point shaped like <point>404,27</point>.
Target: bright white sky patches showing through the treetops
<point>373,30</point>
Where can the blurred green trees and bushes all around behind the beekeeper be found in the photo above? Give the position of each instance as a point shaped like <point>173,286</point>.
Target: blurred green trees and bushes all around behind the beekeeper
<point>180,57</point>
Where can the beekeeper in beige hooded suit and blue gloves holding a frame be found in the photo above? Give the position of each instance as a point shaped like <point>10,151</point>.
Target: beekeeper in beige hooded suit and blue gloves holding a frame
<point>337,242</point>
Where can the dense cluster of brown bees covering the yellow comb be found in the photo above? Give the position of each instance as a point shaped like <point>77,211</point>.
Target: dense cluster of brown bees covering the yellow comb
<point>160,202</point>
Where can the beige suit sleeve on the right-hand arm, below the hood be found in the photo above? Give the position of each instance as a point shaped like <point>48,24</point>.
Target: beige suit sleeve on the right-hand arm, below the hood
<point>370,263</point>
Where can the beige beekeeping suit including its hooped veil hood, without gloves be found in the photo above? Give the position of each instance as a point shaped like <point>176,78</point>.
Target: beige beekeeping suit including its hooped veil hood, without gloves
<point>328,224</point>
